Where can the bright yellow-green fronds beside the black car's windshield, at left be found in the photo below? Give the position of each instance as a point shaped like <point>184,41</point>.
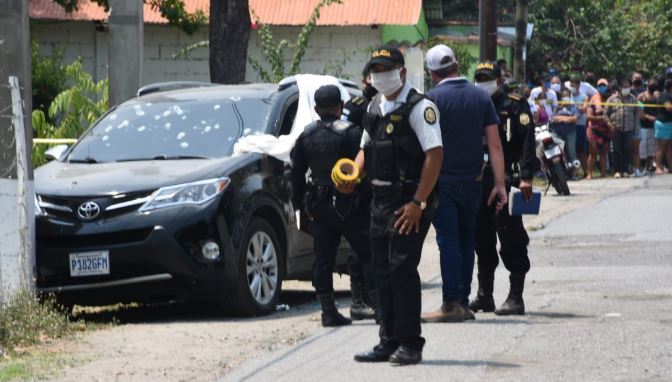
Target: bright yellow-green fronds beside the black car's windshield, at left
<point>74,110</point>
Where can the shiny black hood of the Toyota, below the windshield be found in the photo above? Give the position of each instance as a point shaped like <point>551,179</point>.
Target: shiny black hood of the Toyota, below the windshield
<point>83,179</point>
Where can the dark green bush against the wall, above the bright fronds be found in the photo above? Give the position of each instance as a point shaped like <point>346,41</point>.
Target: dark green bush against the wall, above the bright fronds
<point>48,76</point>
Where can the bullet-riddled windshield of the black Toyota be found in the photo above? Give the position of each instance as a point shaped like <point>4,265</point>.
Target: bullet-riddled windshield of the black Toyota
<point>172,130</point>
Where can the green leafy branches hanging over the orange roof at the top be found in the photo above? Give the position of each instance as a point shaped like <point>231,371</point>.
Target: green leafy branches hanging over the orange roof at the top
<point>172,10</point>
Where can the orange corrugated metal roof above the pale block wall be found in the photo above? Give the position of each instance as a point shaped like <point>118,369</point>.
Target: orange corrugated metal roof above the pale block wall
<point>271,12</point>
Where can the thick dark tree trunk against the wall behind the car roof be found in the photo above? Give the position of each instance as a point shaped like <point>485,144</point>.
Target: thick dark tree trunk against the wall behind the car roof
<point>229,35</point>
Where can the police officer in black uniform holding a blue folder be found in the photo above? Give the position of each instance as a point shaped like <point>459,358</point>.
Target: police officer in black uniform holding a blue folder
<point>516,130</point>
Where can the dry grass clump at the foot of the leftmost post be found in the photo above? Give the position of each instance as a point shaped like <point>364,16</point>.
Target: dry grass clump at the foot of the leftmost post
<point>25,321</point>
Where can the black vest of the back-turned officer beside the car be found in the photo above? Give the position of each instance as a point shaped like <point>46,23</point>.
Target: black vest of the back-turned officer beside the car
<point>325,143</point>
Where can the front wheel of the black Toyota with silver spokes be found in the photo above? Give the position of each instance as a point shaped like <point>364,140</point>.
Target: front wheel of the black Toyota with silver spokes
<point>260,270</point>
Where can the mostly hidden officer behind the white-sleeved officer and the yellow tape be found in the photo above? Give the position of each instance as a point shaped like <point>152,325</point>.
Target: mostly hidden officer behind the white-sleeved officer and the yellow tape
<point>364,302</point>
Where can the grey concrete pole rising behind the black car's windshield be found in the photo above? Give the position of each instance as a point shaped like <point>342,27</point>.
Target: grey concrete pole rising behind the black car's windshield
<point>125,49</point>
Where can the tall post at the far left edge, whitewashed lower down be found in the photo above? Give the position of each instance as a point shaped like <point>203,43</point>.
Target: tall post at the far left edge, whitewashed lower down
<point>17,214</point>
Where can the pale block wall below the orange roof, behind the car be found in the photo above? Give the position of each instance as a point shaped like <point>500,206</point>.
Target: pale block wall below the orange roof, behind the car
<point>340,51</point>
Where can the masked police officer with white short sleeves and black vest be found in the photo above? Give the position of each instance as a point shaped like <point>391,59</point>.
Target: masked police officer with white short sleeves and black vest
<point>402,153</point>
